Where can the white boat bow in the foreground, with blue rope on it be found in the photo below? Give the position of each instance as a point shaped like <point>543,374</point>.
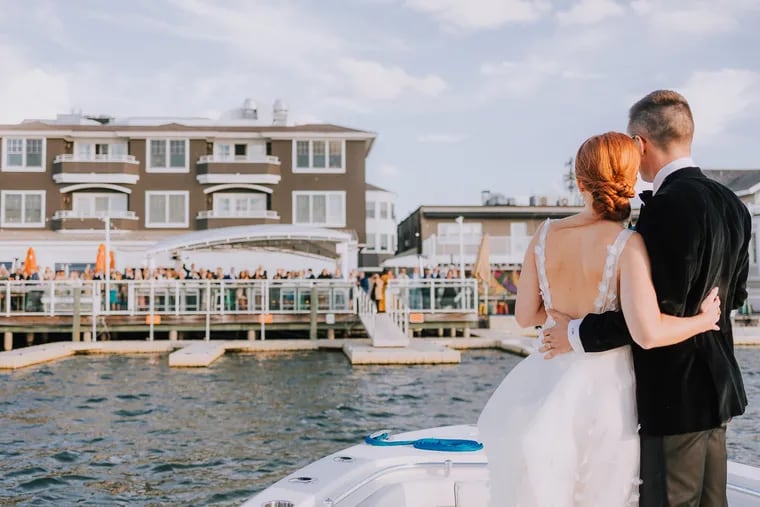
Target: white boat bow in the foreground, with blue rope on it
<point>403,476</point>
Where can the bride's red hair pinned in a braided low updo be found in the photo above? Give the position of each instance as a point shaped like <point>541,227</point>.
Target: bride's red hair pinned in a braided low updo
<point>606,167</point>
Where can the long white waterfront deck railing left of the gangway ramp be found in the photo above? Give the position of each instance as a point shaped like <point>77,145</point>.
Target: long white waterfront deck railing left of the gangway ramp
<point>178,297</point>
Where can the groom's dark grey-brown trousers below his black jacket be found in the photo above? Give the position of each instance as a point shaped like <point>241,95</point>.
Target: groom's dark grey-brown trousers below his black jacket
<point>687,470</point>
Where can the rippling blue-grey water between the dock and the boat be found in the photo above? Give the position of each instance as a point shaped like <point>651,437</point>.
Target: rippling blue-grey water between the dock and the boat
<point>115,430</point>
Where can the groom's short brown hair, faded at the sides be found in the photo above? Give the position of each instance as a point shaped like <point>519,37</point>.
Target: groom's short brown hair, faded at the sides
<point>663,117</point>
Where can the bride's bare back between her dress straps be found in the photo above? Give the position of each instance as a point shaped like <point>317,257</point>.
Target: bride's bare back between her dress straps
<point>576,251</point>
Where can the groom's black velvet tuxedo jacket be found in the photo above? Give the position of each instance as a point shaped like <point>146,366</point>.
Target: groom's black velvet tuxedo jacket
<point>697,233</point>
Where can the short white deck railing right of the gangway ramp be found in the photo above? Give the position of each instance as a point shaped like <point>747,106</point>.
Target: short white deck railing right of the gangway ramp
<point>432,295</point>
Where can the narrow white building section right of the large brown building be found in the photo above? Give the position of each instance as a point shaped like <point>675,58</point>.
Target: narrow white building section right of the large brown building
<point>381,230</point>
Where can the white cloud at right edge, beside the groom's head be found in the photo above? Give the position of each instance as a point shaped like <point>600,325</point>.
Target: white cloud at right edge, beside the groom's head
<point>719,98</point>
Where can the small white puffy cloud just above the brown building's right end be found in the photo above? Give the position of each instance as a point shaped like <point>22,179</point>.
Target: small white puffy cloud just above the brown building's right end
<point>375,81</point>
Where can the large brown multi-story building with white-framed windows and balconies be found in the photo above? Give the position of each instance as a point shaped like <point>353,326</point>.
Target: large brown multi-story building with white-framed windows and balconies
<point>157,177</point>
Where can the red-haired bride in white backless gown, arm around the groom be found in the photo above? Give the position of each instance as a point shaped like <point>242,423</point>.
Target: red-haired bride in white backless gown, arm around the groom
<point>563,433</point>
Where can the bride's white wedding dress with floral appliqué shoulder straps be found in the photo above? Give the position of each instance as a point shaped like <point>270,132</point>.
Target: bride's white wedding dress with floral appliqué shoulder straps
<point>563,432</point>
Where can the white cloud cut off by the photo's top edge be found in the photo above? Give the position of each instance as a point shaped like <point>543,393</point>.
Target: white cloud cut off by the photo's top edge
<point>481,14</point>
